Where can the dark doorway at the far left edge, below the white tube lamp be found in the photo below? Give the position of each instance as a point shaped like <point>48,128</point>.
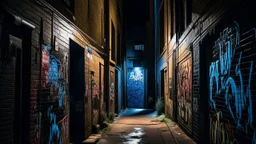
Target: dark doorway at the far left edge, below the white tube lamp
<point>15,72</point>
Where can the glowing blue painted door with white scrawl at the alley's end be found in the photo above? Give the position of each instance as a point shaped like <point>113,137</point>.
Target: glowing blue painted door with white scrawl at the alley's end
<point>135,88</point>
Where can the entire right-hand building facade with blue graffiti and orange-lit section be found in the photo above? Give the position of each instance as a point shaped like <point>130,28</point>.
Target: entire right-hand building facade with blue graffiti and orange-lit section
<point>205,67</point>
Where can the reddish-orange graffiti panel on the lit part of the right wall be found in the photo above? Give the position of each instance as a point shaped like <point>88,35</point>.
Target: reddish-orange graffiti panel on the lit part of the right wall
<point>184,91</point>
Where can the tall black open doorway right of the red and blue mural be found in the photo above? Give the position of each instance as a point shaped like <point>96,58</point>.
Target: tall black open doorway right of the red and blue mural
<point>77,90</point>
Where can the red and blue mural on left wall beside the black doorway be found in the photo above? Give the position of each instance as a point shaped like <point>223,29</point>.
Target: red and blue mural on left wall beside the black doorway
<point>52,119</point>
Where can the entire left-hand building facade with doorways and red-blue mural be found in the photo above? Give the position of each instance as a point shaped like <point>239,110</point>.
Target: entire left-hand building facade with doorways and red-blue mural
<point>55,77</point>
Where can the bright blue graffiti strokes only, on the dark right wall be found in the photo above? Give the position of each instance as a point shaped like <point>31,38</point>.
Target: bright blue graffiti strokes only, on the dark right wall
<point>219,73</point>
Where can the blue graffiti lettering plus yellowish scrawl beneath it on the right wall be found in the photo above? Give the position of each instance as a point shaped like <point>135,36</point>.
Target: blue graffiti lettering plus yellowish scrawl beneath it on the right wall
<point>233,83</point>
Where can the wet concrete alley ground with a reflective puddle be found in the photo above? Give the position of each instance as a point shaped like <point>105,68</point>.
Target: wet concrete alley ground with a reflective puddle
<point>140,126</point>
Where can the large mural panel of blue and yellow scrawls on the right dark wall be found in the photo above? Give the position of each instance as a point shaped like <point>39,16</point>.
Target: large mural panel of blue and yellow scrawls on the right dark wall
<point>230,87</point>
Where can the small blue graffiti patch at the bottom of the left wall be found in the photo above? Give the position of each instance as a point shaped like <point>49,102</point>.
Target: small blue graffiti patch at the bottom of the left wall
<point>54,129</point>
